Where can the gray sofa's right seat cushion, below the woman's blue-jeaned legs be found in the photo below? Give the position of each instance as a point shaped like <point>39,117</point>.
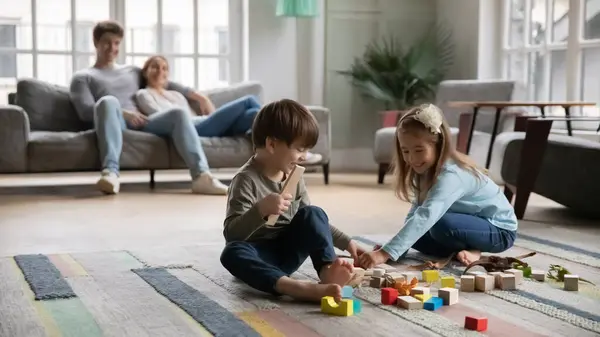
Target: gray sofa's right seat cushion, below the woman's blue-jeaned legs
<point>221,152</point>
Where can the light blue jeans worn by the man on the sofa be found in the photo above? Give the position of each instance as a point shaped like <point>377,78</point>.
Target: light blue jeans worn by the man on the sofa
<point>174,123</point>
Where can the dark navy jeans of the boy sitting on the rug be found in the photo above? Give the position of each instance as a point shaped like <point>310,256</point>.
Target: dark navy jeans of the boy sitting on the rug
<point>260,264</point>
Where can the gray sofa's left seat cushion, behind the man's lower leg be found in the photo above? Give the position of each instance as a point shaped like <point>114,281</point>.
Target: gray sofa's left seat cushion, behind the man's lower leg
<point>78,151</point>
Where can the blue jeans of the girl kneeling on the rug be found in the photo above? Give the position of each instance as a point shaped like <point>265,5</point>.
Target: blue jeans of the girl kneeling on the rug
<point>455,232</point>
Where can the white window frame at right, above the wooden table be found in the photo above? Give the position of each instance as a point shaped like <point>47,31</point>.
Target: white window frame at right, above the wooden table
<point>574,46</point>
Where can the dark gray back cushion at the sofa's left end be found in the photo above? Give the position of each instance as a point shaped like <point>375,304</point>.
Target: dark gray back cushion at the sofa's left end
<point>48,106</point>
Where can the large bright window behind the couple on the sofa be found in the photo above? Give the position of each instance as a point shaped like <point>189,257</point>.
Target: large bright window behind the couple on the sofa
<point>56,44</point>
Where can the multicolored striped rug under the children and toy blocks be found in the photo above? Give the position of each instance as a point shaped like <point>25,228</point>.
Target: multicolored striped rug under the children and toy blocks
<point>184,291</point>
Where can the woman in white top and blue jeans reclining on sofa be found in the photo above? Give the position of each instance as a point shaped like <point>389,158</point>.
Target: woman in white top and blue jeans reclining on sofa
<point>234,118</point>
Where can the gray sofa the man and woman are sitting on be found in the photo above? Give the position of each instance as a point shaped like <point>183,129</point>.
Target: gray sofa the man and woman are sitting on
<point>41,132</point>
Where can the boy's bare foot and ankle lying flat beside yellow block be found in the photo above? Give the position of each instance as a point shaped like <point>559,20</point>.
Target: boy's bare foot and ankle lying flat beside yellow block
<point>307,291</point>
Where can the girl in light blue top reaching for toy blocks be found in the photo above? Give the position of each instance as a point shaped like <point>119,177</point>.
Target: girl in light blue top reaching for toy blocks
<point>455,207</point>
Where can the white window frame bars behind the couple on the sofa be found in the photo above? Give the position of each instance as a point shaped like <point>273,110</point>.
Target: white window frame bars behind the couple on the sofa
<point>117,12</point>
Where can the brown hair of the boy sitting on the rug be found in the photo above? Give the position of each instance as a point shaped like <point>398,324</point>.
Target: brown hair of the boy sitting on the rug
<point>285,120</point>
